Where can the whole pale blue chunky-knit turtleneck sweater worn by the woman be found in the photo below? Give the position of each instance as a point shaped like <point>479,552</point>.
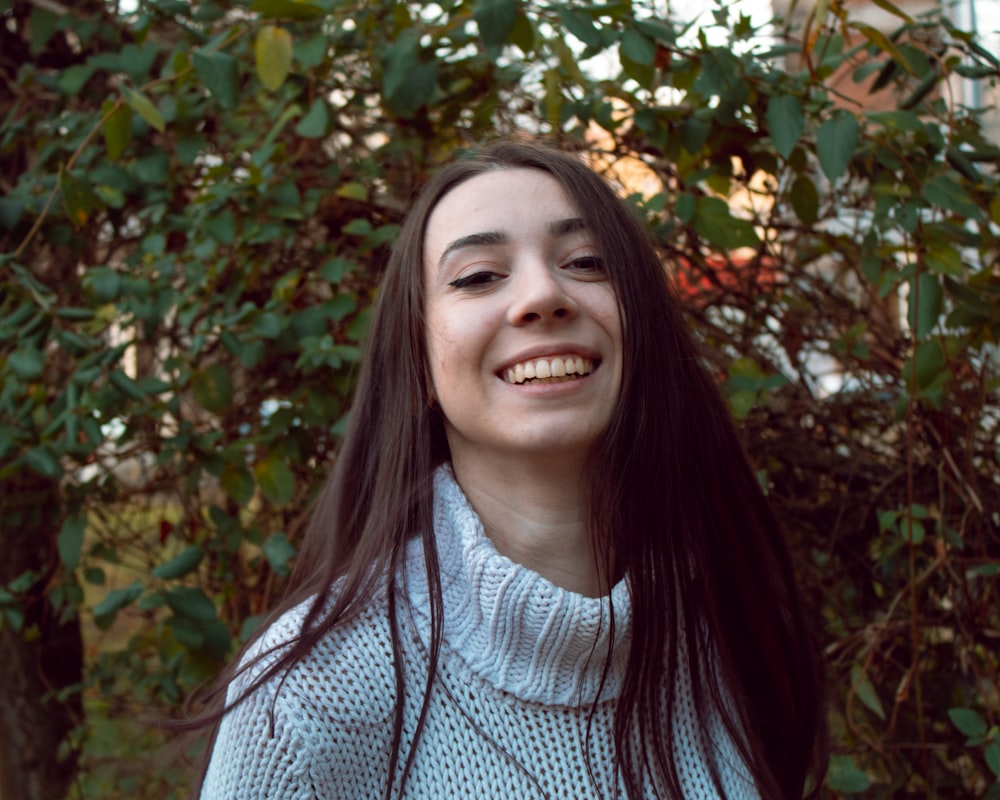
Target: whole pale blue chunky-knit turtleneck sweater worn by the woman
<point>521,665</point>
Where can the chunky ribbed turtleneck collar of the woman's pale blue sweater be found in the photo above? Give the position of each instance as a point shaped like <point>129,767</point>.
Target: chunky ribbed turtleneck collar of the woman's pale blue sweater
<point>512,627</point>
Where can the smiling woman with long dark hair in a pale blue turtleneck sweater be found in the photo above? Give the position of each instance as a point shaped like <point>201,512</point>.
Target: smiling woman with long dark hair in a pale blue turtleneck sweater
<point>542,566</point>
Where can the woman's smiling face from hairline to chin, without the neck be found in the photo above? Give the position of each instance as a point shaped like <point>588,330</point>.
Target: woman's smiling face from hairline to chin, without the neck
<point>524,335</point>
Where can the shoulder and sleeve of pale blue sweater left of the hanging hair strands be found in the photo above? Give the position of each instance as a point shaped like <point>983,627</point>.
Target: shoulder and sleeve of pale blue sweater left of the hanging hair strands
<point>320,731</point>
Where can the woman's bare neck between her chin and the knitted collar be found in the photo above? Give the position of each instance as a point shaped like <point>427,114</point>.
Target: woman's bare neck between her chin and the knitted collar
<point>536,515</point>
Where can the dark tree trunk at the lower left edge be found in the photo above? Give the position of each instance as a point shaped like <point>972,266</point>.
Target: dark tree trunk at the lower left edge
<point>41,664</point>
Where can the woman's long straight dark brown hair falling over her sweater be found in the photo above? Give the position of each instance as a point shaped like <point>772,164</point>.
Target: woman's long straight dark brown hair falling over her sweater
<point>672,496</point>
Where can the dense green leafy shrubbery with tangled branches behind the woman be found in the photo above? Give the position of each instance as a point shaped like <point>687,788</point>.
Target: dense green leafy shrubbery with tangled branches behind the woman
<point>197,199</point>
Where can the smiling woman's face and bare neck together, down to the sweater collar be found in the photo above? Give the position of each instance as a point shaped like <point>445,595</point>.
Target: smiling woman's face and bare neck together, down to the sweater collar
<point>516,284</point>
